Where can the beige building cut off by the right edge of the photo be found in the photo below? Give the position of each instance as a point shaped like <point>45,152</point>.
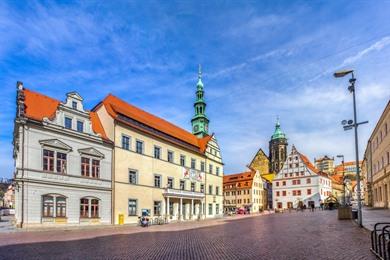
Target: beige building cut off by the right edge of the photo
<point>376,166</point>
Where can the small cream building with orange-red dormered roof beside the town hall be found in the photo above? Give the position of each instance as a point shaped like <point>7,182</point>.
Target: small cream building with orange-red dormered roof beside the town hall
<point>244,191</point>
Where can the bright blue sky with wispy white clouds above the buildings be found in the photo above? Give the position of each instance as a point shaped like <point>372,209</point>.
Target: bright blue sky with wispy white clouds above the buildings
<point>260,60</point>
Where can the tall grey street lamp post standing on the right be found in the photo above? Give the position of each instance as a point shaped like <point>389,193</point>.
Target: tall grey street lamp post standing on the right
<point>348,125</point>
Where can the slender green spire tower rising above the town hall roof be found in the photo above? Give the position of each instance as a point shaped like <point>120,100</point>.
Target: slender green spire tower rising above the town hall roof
<point>200,122</point>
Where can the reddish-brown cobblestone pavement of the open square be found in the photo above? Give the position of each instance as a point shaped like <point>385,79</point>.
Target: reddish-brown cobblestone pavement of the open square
<point>306,235</point>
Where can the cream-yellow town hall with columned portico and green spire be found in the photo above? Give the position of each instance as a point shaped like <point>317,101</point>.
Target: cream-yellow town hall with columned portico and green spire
<point>161,170</point>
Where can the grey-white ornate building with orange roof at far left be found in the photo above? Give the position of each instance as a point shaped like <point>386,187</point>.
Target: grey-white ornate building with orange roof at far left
<point>62,162</point>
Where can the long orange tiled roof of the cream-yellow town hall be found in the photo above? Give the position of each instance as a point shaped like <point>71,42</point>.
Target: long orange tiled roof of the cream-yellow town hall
<point>116,106</point>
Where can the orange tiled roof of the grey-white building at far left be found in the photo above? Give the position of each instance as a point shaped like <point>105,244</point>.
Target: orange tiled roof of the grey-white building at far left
<point>39,106</point>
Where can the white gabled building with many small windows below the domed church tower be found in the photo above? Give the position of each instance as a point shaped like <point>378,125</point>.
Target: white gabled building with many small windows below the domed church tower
<point>299,183</point>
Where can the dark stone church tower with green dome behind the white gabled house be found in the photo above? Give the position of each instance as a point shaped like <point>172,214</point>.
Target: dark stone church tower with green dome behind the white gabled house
<point>277,149</point>
